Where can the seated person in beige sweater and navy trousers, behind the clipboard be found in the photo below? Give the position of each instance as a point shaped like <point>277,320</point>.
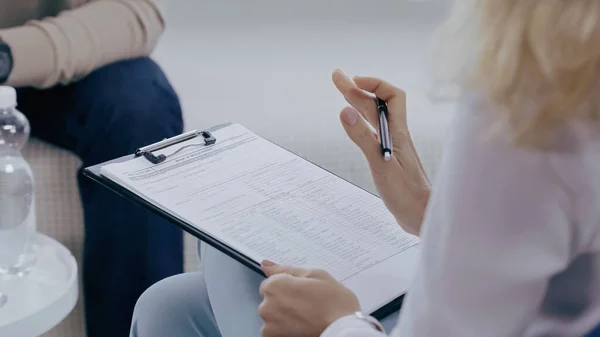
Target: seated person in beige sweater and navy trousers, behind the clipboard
<point>86,84</point>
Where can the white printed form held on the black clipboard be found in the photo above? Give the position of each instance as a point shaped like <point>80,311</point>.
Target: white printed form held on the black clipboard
<point>268,203</point>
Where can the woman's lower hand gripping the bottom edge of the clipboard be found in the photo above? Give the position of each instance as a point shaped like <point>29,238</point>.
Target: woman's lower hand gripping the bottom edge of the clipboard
<point>302,303</point>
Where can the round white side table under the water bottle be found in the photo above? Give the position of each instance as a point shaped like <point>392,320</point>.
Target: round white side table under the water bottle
<point>43,298</point>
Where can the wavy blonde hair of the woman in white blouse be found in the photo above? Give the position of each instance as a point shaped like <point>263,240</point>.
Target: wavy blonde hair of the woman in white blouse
<point>538,60</point>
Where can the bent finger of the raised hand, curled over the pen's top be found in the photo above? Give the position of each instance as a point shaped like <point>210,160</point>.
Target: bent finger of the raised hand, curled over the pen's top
<point>394,96</point>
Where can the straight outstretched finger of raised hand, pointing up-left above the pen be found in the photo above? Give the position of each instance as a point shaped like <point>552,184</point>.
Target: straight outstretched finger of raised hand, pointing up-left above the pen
<point>362,101</point>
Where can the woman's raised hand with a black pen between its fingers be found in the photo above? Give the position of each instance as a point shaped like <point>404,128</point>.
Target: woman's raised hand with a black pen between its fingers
<point>402,182</point>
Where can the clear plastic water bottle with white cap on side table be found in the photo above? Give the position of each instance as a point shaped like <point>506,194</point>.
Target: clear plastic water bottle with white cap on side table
<point>17,191</point>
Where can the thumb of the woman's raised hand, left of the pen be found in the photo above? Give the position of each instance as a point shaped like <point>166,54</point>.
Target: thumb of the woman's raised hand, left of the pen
<point>361,133</point>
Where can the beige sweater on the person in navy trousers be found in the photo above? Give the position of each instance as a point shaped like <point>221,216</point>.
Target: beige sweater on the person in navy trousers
<point>60,41</point>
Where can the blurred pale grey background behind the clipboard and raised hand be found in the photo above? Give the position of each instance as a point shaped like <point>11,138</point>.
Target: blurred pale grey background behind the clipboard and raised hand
<point>266,64</point>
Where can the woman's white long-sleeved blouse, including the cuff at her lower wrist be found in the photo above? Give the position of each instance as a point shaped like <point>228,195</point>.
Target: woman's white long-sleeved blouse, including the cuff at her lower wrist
<point>510,242</point>
